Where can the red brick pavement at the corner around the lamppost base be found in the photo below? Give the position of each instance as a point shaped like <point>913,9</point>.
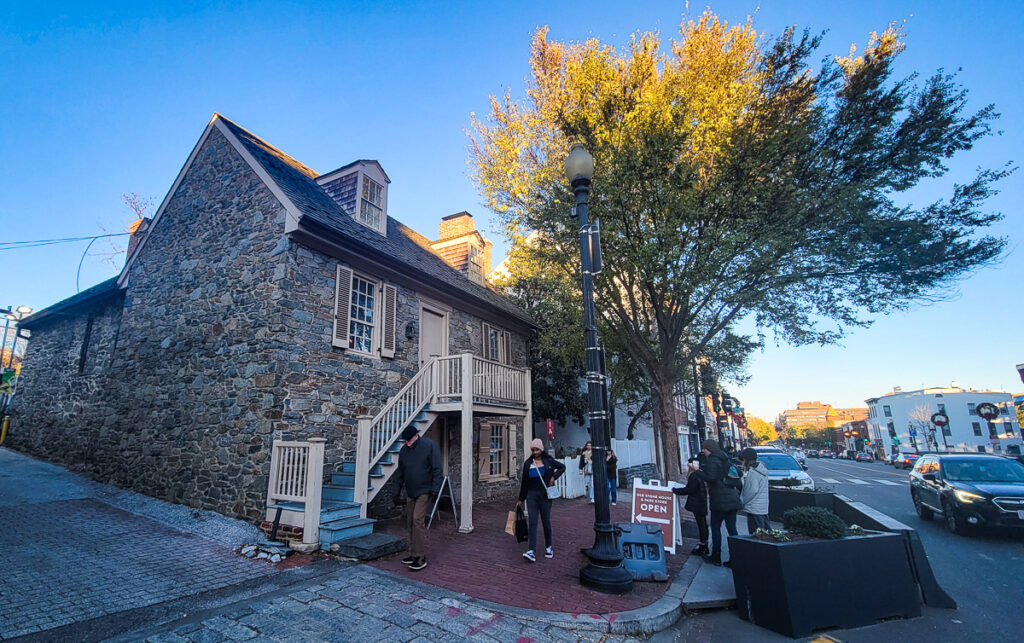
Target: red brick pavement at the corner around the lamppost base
<point>489,564</point>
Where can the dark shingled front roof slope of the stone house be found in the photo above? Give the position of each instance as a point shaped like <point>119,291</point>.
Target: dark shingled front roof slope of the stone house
<point>403,245</point>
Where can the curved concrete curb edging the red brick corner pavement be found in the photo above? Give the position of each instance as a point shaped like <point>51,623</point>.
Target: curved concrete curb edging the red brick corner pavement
<point>643,621</point>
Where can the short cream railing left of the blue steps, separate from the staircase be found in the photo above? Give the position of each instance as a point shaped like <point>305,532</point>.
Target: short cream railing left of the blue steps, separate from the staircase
<point>296,476</point>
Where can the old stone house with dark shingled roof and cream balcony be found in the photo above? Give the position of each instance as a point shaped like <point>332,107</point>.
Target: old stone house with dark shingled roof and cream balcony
<point>266,303</point>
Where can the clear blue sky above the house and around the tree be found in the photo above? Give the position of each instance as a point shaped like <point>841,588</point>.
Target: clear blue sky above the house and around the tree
<point>96,102</point>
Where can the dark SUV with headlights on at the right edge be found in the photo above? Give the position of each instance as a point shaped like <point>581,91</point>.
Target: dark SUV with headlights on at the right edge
<point>969,490</point>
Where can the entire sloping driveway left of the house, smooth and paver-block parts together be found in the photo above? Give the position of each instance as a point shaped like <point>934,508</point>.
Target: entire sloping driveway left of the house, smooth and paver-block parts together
<point>73,550</point>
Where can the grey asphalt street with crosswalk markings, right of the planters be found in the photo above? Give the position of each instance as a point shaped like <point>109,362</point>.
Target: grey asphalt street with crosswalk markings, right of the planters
<point>985,572</point>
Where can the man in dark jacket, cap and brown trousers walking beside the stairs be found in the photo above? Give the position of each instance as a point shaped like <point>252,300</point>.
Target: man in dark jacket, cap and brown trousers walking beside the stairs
<point>419,476</point>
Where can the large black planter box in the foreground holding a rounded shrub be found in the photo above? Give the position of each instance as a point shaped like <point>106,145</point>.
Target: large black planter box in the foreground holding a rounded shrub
<point>798,588</point>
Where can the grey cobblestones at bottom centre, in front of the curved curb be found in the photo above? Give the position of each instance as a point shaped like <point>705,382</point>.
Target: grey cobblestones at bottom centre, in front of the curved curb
<point>361,604</point>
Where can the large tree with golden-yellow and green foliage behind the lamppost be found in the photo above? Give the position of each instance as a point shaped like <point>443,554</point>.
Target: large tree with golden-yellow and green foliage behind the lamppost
<point>737,180</point>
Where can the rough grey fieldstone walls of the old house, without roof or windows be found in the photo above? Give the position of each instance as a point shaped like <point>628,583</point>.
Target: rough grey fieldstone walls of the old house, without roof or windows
<point>221,344</point>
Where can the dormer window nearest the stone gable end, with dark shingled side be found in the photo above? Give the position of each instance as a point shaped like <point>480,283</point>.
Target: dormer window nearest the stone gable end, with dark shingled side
<point>361,190</point>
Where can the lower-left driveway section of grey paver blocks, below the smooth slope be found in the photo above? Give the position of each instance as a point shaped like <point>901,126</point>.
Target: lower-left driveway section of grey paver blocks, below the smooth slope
<point>71,561</point>
